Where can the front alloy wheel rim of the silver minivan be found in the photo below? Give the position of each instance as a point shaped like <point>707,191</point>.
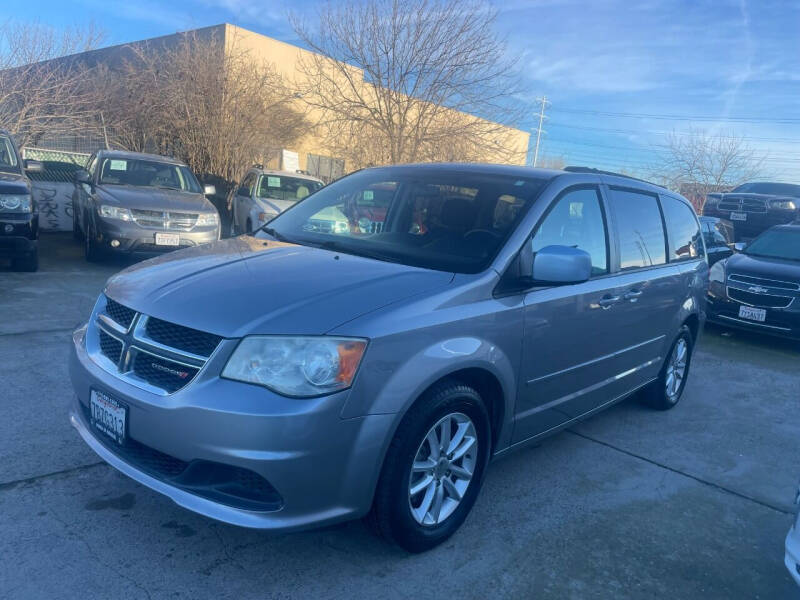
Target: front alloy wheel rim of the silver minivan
<point>442,469</point>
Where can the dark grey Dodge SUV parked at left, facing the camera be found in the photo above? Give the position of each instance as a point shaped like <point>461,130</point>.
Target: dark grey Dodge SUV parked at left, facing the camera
<point>133,203</point>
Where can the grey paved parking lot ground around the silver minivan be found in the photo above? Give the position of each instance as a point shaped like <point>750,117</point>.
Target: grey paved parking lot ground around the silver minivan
<point>634,503</point>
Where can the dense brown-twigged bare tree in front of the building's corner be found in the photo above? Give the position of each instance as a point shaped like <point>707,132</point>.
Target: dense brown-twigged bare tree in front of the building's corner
<point>205,100</point>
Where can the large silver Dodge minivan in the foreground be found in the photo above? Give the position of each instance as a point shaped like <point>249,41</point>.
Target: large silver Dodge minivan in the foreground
<point>317,376</point>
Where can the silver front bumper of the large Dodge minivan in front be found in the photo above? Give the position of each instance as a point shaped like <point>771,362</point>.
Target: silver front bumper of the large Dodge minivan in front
<point>323,467</point>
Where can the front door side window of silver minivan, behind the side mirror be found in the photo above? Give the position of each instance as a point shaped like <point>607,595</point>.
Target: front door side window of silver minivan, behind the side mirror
<point>576,220</point>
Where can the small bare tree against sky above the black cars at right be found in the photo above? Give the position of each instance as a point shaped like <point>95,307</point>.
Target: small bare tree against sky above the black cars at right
<point>704,162</point>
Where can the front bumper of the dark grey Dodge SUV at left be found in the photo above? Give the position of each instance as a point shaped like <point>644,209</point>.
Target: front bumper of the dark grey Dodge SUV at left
<point>131,238</point>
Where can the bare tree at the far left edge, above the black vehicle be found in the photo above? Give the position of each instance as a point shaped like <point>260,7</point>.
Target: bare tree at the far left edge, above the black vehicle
<point>43,89</point>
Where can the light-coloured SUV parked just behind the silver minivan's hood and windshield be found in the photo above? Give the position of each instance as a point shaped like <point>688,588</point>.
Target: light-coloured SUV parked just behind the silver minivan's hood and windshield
<point>264,194</point>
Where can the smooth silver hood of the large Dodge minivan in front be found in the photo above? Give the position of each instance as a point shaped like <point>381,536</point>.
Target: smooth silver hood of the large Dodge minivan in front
<point>245,285</point>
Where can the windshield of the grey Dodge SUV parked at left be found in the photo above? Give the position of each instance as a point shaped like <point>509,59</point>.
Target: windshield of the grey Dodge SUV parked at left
<point>147,173</point>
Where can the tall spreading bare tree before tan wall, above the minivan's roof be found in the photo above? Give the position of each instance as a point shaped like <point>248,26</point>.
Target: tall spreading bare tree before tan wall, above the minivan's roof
<point>398,81</point>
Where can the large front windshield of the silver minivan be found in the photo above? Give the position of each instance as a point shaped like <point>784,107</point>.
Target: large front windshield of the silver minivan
<point>435,219</point>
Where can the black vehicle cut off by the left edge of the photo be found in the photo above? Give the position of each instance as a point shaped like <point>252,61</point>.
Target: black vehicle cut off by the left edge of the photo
<point>19,215</point>
